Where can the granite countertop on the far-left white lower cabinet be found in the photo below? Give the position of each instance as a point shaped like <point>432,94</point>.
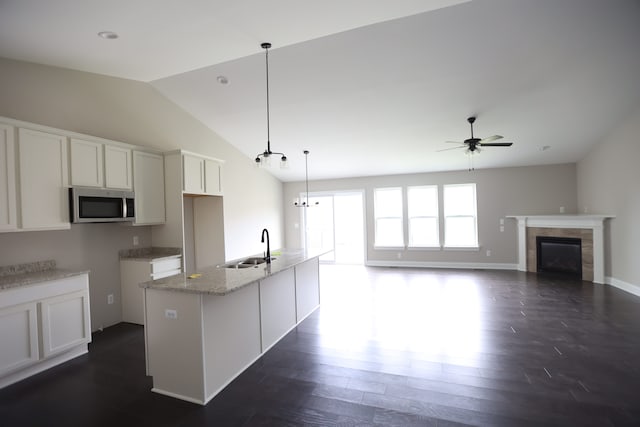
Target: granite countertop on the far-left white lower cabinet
<point>32,273</point>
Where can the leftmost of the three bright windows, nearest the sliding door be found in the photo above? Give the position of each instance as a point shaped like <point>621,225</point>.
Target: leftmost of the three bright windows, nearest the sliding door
<point>388,217</point>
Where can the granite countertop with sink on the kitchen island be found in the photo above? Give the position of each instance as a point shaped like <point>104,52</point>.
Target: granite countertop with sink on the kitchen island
<point>222,281</point>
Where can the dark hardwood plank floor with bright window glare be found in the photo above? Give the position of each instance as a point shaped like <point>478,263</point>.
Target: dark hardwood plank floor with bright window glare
<point>389,347</point>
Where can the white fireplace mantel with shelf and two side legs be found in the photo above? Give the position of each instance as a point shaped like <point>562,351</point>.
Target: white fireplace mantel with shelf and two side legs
<point>593,222</point>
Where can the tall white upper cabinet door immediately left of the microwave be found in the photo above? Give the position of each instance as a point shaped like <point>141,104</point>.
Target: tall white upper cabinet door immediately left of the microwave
<point>44,179</point>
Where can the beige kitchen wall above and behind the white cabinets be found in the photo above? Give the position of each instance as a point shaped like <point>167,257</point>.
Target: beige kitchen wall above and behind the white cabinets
<point>135,113</point>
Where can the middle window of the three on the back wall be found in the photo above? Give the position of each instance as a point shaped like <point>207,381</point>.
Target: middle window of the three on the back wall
<point>423,216</point>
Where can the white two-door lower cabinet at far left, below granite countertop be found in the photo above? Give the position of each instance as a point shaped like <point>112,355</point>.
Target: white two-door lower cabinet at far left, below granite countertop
<point>43,325</point>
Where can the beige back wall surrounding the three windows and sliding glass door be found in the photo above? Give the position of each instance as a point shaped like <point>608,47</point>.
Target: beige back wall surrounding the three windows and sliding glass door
<point>500,192</point>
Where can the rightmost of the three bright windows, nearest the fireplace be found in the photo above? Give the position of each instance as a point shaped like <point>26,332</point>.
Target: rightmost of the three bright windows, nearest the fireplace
<point>460,217</point>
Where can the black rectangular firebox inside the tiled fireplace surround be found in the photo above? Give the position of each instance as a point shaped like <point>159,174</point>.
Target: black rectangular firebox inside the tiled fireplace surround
<point>561,255</point>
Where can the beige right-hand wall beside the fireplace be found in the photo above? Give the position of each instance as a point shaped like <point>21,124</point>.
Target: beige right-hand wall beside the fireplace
<point>608,180</point>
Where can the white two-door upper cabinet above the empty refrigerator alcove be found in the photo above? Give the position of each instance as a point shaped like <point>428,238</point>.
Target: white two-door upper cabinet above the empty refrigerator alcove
<point>201,175</point>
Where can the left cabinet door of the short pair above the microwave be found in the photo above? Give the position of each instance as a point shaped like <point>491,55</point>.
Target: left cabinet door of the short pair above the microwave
<point>86,163</point>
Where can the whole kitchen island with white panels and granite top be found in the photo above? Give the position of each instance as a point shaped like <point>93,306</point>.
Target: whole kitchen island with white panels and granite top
<point>203,330</point>
